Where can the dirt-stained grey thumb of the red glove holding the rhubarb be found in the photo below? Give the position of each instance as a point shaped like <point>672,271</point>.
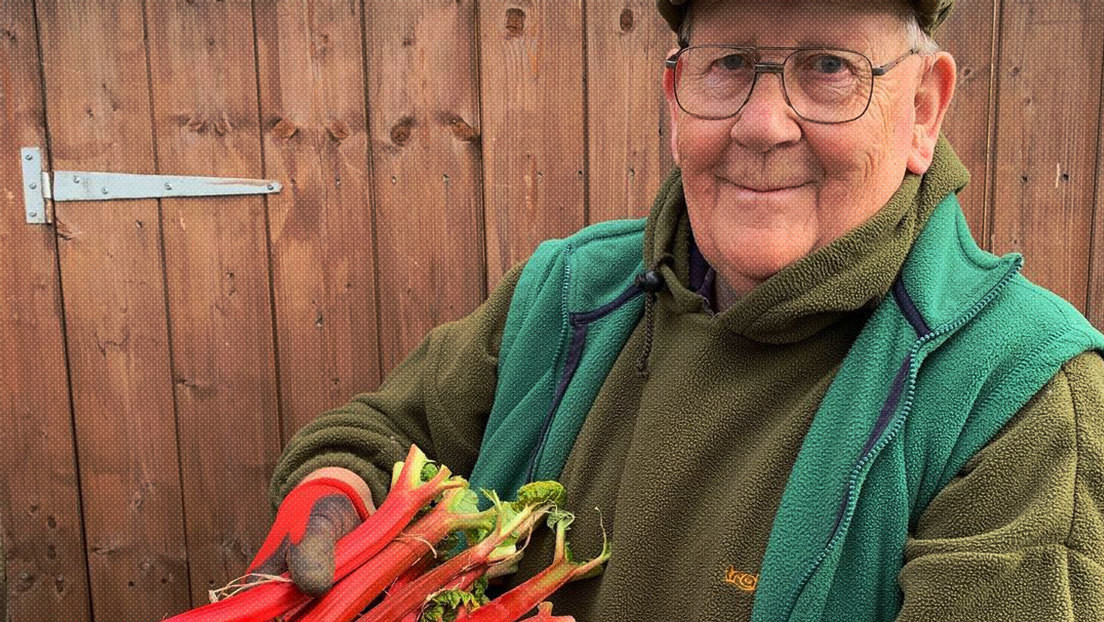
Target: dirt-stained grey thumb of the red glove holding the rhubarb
<point>311,561</point>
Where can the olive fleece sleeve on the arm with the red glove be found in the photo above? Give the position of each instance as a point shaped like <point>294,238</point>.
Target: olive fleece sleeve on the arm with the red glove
<point>439,398</point>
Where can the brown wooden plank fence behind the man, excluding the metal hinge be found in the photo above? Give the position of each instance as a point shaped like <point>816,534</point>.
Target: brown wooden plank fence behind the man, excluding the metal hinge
<point>156,355</point>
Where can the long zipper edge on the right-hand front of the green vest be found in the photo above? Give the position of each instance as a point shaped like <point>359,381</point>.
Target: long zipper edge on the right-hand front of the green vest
<point>850,499</point>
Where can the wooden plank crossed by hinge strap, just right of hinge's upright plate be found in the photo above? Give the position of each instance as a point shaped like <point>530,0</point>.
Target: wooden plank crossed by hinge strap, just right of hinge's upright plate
<point>98,111</point>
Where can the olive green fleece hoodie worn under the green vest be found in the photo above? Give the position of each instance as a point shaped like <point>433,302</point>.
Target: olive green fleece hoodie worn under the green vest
<point>688,467</point>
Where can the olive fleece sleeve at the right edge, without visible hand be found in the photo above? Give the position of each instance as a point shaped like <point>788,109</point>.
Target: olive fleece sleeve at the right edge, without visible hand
<point>1018,535</point>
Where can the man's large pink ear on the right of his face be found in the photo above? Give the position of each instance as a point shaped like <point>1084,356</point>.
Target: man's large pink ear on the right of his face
<point>933,97</point>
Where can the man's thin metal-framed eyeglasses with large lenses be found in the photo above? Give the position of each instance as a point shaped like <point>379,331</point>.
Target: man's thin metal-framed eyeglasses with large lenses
<point>821,85</point>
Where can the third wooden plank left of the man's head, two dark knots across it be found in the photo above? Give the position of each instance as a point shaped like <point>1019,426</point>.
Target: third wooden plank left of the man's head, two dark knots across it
<point>424,120</point>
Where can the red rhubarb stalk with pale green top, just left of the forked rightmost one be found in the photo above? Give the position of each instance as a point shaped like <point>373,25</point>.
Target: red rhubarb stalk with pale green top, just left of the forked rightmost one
<point>476,557</point>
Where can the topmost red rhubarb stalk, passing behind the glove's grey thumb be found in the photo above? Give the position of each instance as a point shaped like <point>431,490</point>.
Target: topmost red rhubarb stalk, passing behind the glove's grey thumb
<point>409,494</point>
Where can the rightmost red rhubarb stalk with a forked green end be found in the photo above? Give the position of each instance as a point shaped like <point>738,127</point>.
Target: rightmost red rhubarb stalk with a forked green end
<point>515,604</point>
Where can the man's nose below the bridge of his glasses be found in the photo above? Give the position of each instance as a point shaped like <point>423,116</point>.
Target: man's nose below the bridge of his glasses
<point>767,121</point>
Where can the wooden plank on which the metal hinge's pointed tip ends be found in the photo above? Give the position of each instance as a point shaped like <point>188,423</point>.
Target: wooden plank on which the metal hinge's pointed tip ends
<point>316,141</point>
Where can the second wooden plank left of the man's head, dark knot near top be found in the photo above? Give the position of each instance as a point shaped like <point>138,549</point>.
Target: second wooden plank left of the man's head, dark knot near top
<point>532,88</point>
